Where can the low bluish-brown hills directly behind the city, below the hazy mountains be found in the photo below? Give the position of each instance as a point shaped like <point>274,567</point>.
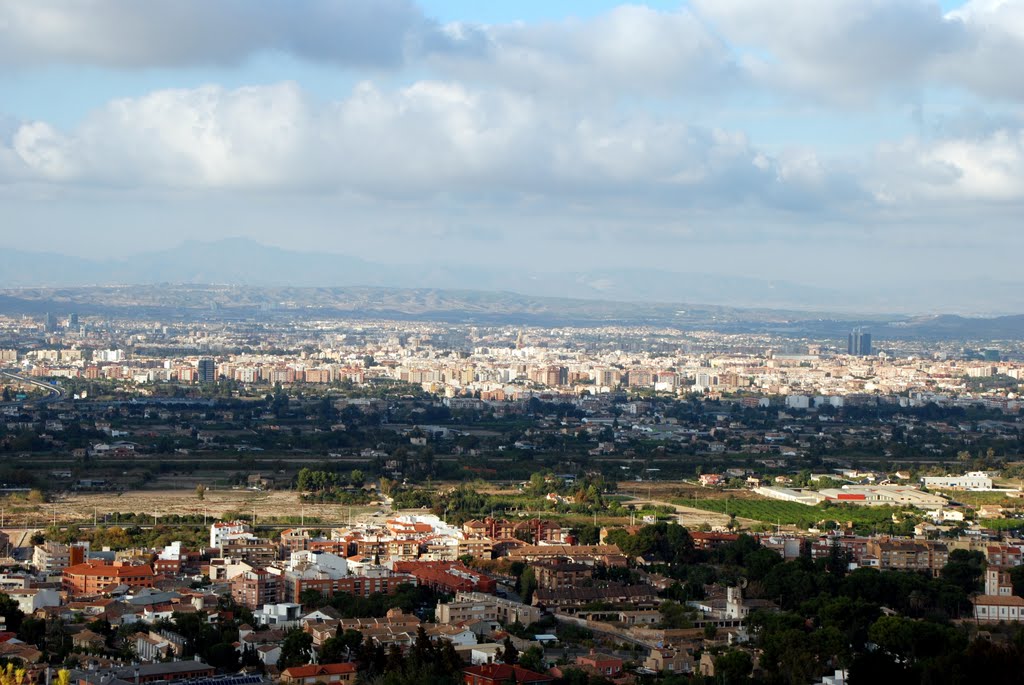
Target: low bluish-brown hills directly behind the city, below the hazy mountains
<point>170,303</point>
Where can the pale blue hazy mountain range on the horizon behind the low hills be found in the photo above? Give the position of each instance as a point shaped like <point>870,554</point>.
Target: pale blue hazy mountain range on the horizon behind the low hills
<point>245,263</point>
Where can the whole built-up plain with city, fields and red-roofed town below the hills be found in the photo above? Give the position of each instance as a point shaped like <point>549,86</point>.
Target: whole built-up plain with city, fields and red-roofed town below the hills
<point>336,501</point>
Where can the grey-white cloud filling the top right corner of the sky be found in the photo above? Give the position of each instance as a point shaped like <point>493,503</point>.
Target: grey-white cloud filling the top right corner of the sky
<point>850,52</point>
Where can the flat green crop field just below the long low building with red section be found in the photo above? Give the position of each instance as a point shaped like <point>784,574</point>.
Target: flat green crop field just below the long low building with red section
<point>793,513</point>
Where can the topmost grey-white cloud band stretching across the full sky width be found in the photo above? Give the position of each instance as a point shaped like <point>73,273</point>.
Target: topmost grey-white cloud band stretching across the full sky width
<point>835,52</point>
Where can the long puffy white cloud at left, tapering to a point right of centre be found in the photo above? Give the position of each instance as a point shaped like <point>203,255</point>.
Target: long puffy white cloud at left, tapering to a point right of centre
<point>429,139</point>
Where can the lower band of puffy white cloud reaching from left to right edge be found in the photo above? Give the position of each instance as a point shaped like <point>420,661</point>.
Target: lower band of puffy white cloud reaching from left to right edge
<point>442,140</point>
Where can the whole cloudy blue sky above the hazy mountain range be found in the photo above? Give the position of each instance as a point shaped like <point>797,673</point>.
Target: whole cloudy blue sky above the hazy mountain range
<point>830,143</point>
